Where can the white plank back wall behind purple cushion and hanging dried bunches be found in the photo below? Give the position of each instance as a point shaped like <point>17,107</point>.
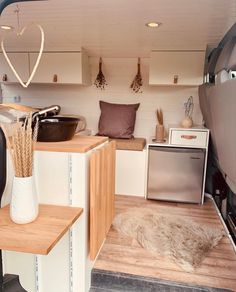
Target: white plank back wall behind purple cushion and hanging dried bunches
<point>119,73</point>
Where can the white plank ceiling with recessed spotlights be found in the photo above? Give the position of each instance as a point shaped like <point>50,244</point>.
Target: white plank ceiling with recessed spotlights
<point>116,28</point>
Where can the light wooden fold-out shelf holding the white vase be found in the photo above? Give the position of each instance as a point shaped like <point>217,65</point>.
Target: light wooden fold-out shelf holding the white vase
<point>40,236</point>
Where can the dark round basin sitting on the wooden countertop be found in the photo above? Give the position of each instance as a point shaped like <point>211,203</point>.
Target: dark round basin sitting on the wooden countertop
<point>56,129</point>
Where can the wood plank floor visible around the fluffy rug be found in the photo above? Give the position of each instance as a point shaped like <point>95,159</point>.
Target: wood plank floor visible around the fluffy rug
<point>122,254</point>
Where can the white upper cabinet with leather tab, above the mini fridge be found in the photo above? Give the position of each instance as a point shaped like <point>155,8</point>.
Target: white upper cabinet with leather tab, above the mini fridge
<point>176,68</point>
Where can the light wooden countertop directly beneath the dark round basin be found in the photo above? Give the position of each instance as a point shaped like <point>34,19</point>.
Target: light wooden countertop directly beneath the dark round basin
<point>79,144</point>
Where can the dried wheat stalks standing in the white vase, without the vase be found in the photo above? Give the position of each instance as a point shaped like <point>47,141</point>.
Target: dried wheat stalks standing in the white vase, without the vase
<point>21,146</point>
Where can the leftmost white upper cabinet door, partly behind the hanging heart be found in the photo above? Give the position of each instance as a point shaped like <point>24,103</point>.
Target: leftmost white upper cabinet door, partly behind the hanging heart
<point>20,61</point>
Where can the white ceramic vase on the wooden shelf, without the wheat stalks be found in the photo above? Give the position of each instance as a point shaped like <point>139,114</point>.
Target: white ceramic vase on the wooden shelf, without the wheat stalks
<point>24,201</point>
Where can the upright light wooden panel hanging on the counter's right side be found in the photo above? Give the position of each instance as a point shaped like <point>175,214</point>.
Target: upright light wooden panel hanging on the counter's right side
<point>102,195</point>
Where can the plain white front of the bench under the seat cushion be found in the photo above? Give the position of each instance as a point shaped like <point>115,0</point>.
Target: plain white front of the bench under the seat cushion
<point>130,172</point>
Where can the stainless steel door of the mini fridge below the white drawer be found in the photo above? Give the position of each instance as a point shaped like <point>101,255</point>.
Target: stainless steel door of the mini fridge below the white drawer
<point>175,174</point>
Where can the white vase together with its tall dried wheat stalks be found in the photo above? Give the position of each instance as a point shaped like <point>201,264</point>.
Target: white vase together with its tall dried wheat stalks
<point>24,201</point>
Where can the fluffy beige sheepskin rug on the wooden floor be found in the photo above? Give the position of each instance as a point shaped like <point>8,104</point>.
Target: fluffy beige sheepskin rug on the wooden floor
<point>185,242</point>
